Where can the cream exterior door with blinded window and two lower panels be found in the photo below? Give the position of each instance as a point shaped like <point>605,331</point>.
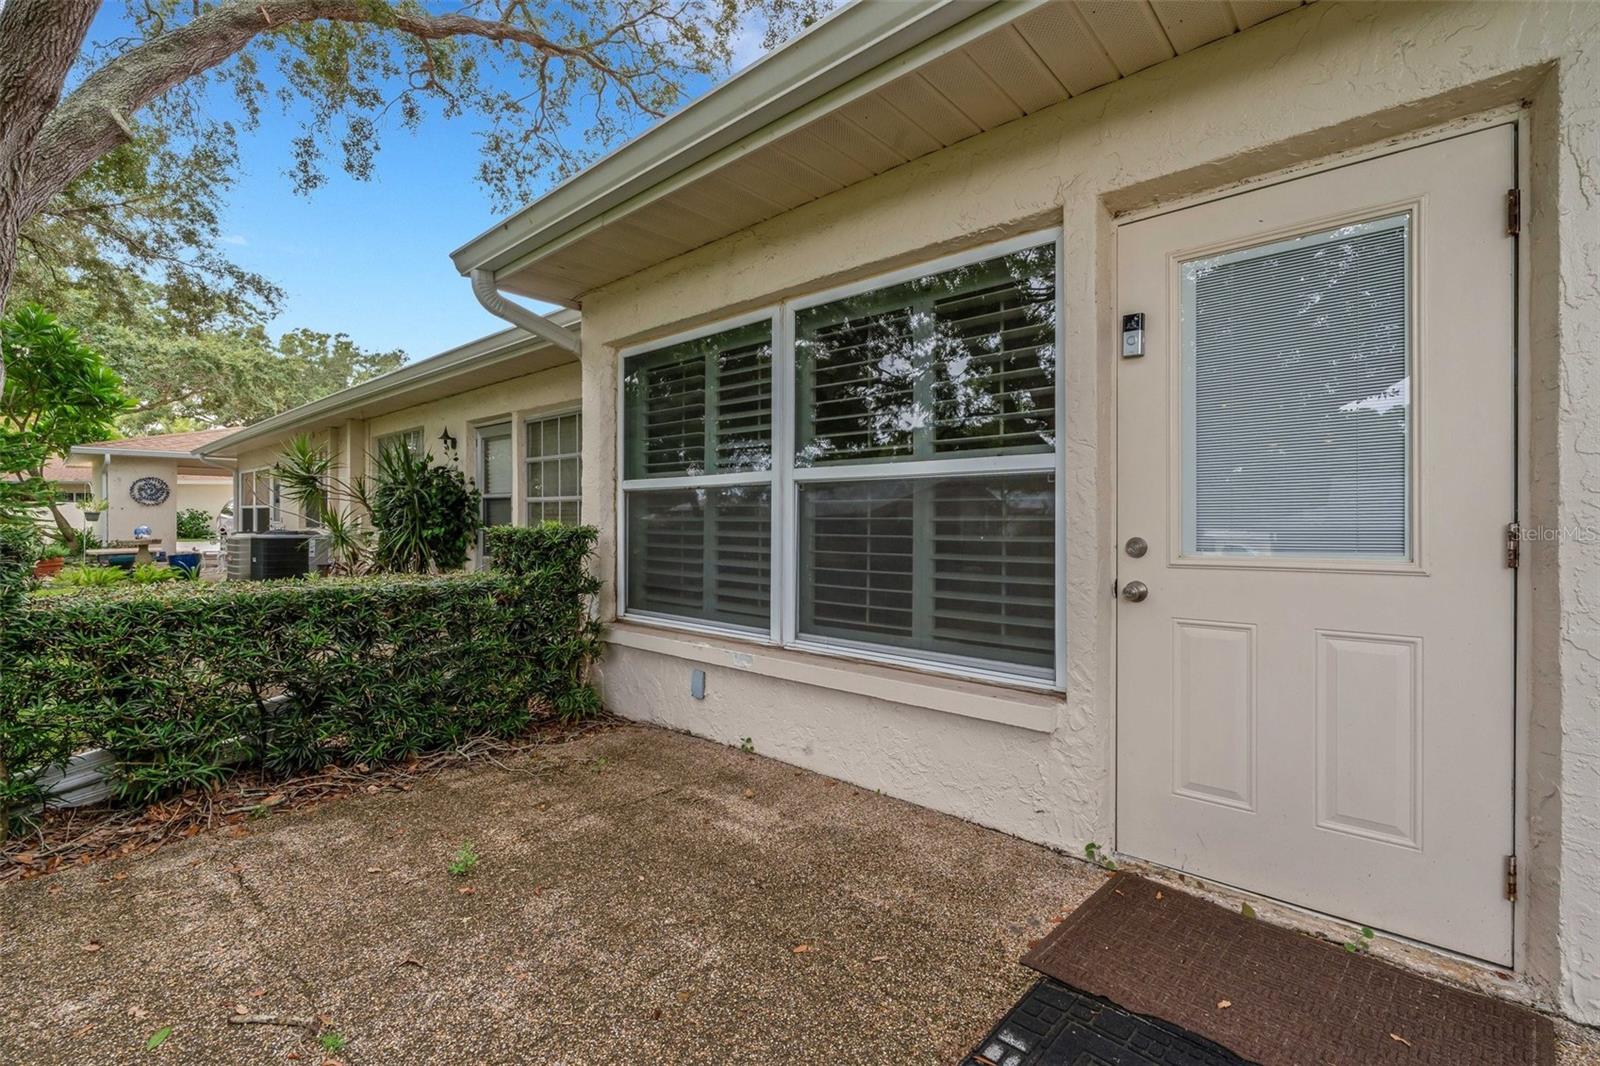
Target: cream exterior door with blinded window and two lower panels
<point>1316,695</point>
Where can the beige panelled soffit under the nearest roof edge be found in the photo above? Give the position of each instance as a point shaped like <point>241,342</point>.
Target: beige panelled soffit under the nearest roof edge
<point>1042,58</point>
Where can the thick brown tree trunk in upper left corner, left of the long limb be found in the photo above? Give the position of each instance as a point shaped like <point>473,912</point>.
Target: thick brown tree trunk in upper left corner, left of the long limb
<point>39,44</point>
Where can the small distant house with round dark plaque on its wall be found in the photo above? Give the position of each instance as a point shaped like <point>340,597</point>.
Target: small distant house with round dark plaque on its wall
<point>148,481</point>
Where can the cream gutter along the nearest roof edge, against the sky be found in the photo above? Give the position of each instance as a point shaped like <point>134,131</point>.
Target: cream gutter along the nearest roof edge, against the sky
<point>809,73</point>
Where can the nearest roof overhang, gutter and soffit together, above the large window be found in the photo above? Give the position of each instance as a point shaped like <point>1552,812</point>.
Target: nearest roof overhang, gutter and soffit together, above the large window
<point>863,92</point>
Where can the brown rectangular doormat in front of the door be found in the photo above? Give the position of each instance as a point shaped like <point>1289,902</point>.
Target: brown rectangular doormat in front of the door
<point>1276,996</point>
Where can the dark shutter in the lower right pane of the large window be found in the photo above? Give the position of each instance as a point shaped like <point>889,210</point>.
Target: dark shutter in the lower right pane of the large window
<point>948,566</point>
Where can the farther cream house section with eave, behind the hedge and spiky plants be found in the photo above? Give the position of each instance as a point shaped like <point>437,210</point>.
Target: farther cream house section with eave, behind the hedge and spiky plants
<point>503,409</point>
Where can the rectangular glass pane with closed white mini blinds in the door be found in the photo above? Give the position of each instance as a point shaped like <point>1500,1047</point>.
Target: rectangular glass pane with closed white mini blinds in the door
<point>1297,398</point>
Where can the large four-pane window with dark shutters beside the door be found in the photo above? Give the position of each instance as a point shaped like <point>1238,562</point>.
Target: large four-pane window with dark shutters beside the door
<point>906,507</point>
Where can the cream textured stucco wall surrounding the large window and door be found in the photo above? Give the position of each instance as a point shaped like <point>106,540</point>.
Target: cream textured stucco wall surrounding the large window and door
<point>1327,79</point>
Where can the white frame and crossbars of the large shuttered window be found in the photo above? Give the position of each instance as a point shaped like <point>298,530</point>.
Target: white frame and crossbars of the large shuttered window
<point>786,479</point>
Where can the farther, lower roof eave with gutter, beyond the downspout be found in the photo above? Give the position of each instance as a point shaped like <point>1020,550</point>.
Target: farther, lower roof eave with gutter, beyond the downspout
<point>484,363</point>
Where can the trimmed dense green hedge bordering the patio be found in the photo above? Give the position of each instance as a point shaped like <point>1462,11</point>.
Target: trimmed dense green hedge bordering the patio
<point>185,684</point>
